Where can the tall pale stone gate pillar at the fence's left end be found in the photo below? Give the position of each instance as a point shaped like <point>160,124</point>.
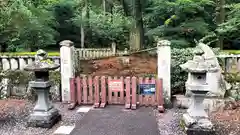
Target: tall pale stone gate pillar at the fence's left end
<point>67,57</point>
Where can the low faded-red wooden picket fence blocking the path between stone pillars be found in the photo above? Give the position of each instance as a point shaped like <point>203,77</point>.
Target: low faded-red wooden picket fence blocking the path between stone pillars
<point>97,91</point>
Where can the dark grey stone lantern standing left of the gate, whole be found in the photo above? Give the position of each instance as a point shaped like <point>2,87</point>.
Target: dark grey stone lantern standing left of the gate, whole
<point>44,114</point>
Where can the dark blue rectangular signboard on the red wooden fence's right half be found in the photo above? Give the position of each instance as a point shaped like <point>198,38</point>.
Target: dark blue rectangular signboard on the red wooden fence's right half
<point>147,89</point>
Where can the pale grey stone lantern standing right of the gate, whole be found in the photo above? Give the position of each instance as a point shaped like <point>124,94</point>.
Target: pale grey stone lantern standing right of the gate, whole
<point>196,120</point>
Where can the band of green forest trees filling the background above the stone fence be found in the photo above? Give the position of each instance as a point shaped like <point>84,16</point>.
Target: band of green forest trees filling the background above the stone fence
<point>32,24</point>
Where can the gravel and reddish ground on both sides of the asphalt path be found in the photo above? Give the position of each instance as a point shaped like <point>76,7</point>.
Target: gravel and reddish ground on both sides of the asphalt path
<point>227,121</point>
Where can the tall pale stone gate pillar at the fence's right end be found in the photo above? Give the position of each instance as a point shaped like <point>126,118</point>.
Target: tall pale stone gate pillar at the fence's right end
<point>164,68</point>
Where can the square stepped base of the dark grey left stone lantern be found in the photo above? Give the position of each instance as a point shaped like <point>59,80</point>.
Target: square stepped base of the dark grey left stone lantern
<point>44,119</point>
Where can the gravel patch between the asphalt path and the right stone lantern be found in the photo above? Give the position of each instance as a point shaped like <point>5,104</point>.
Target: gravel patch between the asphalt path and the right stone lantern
<point>168,122</point>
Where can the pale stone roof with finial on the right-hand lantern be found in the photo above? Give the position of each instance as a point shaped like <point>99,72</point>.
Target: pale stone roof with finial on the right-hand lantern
<point>199,64</point>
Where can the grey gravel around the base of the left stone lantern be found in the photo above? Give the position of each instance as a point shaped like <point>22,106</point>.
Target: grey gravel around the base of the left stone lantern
<point>16,125</point>
